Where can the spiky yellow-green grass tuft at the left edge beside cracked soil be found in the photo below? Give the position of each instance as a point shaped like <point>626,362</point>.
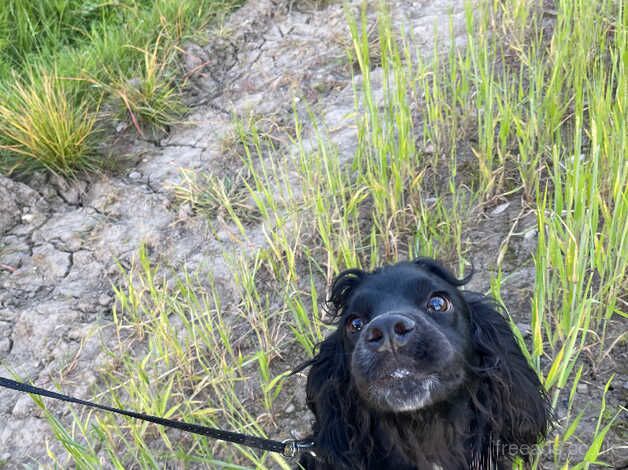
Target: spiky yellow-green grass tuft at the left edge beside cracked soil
<point>44,124</point>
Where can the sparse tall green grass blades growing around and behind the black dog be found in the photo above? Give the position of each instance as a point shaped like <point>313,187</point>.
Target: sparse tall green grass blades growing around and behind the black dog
<point>522,113</point>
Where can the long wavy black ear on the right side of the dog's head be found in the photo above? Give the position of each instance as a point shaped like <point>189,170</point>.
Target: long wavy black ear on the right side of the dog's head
<point>510,396</point>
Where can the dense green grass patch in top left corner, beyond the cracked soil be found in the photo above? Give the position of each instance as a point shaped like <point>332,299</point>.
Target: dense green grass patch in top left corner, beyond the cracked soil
<point>83,54</point>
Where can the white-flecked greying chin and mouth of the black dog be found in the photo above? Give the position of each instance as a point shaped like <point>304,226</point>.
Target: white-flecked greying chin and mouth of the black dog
<point>401,391</point>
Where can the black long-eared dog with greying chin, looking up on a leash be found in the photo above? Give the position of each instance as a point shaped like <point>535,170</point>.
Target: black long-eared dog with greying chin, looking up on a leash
<point>420,375</point>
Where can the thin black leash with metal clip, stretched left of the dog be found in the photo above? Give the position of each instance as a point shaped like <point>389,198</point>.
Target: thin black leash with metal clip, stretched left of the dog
<point>288,448</point>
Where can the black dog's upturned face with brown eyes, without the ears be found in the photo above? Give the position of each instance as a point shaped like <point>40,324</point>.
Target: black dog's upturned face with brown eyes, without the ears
<point>408,333</point>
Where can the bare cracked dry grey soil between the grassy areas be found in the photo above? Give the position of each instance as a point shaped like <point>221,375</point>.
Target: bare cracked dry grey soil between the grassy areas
<point>61,242</point>
